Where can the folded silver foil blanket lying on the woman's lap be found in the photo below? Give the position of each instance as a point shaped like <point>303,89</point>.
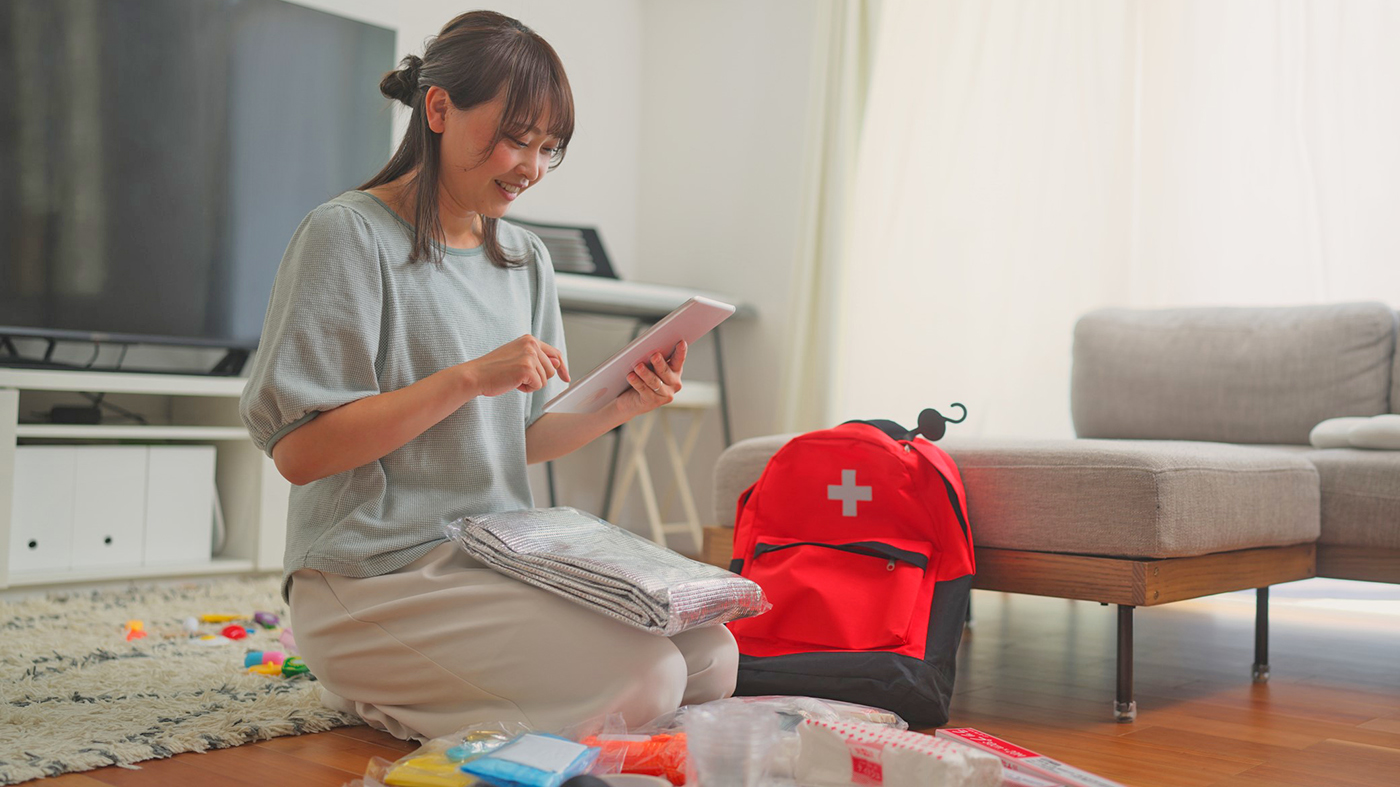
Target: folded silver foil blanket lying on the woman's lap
<point>607,569</point>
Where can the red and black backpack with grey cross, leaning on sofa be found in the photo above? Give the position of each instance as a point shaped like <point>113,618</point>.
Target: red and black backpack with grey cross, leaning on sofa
<point>859,537</point>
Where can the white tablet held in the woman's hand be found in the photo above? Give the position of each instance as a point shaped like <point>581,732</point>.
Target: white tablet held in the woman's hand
<point>691,321</point>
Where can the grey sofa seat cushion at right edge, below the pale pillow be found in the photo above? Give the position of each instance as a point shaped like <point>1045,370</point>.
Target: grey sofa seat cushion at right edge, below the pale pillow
<point>1360,496</point>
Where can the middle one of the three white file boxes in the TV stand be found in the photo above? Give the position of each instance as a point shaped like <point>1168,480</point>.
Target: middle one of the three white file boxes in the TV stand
<point>110,506</point>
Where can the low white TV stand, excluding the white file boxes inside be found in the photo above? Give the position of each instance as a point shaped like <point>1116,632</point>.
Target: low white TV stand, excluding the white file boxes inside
<point>185,410</point>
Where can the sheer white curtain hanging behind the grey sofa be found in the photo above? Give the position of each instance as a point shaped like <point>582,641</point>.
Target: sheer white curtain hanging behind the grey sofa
<point>1024,162</point>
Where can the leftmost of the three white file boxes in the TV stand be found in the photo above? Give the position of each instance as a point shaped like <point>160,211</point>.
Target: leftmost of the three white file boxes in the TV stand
<point>41,515</point>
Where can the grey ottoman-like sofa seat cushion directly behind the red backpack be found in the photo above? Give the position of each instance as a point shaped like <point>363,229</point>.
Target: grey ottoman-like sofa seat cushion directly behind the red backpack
<point>1112,498</point>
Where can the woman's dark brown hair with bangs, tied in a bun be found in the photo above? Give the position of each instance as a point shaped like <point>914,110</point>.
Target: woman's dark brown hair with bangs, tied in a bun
<point>477,58</point>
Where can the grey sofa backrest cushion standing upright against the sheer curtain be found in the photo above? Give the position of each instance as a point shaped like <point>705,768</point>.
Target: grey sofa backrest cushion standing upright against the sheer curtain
<point>1230,375</point>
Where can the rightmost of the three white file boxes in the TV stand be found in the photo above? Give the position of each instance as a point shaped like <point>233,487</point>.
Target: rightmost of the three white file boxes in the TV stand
<point>180,505</point>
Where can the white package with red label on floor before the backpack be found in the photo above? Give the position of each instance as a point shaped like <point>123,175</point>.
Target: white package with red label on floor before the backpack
<point>849,753</point>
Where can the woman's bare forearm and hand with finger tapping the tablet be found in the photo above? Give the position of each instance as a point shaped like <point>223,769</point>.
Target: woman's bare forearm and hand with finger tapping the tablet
<point>369,429</point>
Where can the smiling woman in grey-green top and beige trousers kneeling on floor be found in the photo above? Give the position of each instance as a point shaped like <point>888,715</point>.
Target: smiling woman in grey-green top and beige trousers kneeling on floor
<point>411,344</point>
